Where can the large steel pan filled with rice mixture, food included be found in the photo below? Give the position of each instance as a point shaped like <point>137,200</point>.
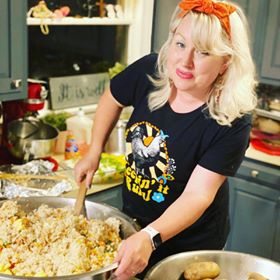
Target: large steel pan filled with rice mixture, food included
<point>40,237</point>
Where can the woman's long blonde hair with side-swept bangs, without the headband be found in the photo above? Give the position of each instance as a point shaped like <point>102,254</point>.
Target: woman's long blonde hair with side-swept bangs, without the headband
<point>233,93</point>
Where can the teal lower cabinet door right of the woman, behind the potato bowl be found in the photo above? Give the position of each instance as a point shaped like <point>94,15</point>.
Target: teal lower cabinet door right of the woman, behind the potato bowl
<point>255,218</point>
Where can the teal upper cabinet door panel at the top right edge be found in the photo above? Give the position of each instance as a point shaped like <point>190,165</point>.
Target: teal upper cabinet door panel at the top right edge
<point>271,55</point>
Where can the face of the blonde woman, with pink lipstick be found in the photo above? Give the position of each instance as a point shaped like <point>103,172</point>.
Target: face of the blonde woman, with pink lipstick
<point>191,71</point>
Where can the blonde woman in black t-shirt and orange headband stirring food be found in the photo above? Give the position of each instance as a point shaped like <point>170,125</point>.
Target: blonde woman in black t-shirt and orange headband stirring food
<point>189,130</point>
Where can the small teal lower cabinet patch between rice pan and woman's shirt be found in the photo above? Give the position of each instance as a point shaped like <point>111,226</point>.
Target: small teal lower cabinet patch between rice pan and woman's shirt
<point>112,197</point>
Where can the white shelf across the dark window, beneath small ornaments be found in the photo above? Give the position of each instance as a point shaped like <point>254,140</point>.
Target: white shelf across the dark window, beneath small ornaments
<point>79,21</point>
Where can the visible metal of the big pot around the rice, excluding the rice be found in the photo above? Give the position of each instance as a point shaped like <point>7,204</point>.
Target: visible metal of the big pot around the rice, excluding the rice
<point>94,210</point>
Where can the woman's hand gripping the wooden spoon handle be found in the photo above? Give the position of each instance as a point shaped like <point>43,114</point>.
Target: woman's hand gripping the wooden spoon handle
<point>86,167</point>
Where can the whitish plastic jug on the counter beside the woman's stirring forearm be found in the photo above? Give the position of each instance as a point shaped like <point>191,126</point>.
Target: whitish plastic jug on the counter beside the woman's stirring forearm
<point>80,125</point>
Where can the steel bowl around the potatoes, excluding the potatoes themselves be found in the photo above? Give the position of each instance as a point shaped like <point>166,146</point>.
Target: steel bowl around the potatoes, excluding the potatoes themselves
<point>234,265</point>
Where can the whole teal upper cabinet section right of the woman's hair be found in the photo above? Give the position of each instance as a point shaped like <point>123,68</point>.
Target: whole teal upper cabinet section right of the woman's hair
<point>264,22</point>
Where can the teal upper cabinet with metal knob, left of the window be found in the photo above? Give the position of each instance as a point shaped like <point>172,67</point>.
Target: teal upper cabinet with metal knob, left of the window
<point>13,50</point>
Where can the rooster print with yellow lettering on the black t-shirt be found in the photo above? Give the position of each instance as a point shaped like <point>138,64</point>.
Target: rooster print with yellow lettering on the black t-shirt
<point>149,167</point>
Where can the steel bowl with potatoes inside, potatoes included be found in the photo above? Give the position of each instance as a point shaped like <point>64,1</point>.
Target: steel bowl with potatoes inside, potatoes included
<point>224,265</point>
